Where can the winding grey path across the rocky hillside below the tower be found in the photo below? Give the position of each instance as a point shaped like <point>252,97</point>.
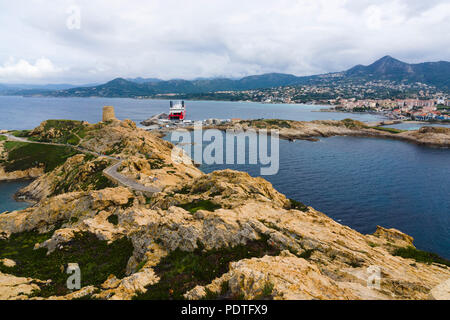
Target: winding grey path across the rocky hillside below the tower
<point>111,172</point>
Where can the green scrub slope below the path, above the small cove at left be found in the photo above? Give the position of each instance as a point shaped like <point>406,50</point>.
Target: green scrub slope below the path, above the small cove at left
<point>22,156</point>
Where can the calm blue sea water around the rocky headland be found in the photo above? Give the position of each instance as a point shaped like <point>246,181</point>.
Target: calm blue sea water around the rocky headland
<point>359,182</point>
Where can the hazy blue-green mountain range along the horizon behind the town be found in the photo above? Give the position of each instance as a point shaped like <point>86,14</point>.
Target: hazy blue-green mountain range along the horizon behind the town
<point>435,74</point>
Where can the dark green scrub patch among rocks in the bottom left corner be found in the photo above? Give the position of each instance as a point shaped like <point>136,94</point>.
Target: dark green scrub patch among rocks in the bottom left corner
<point>97,260</point>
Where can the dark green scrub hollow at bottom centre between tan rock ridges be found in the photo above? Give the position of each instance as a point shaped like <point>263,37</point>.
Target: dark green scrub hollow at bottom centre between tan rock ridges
<point>181,271</point>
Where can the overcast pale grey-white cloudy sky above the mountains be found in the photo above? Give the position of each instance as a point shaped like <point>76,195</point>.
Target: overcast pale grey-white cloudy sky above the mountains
<point>93,41</point>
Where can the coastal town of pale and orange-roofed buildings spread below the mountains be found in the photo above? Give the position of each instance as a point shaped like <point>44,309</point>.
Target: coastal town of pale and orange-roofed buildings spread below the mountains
<point>415,101</point>
